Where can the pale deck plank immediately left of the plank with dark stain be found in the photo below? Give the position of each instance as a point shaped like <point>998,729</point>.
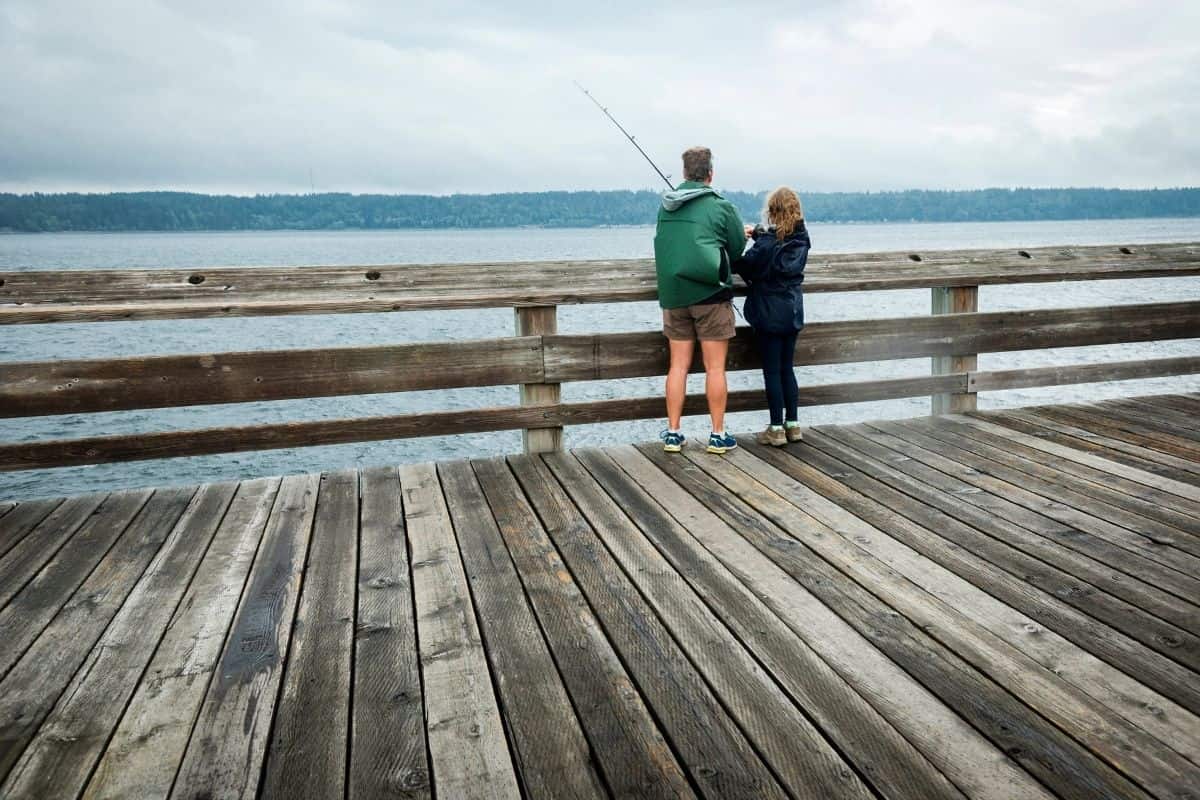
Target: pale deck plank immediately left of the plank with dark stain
<point>148,747</point>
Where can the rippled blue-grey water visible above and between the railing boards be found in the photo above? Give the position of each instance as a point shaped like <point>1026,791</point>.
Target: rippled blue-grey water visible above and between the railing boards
<point>117,340</point>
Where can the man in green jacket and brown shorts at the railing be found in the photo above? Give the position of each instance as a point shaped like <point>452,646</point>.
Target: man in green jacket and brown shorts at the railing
<point>699,236</point>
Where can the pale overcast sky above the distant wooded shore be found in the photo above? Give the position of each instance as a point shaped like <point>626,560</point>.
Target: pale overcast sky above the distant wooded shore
<point>248,97</point>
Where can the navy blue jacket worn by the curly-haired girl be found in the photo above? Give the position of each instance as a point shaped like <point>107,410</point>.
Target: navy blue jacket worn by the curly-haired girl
<point>775,272</point>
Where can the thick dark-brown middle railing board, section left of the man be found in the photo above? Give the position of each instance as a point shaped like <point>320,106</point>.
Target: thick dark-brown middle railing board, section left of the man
<point>32,389</point>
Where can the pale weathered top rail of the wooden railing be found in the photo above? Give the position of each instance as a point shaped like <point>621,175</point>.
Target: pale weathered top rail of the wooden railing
<point>38,297</point>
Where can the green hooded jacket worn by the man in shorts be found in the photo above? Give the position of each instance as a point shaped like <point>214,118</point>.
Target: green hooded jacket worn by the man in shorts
<point>699,237</point>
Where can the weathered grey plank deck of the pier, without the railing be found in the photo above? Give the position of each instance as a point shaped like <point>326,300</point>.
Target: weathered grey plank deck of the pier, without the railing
<point>1003,605</point>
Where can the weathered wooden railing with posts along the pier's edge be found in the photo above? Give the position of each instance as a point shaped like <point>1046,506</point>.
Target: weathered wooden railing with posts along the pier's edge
<point>539,359</point>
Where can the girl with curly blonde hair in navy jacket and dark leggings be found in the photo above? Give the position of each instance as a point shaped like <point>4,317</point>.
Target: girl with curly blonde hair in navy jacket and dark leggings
<point>775,270</point>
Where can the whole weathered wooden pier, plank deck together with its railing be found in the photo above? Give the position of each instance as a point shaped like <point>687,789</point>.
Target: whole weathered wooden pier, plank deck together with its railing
<point>986,605</point>
